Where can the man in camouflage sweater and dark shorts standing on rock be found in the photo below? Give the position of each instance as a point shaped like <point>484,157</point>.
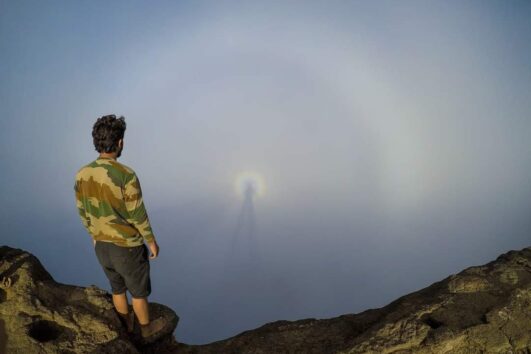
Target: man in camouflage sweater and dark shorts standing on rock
<point>110,205</point>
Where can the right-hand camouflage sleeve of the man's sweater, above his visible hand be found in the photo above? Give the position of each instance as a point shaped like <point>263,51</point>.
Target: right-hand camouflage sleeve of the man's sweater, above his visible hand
<point>137,215</point>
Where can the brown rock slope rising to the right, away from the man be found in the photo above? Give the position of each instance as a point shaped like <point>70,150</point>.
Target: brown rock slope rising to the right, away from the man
<point>483,309</point>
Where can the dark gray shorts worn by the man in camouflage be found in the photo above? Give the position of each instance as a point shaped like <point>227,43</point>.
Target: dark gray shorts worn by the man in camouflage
<point>127,268</point>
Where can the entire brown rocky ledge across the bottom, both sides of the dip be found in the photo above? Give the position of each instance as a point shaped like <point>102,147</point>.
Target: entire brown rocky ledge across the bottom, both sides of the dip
<point>483,309</point>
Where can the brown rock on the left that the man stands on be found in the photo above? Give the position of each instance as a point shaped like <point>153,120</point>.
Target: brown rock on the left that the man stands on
<point>39,315</point>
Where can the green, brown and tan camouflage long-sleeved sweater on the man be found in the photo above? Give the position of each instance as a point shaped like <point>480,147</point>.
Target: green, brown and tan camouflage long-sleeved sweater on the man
<point>109,202</point>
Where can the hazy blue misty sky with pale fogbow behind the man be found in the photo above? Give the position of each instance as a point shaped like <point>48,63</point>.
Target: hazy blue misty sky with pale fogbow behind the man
<point>392,139</point>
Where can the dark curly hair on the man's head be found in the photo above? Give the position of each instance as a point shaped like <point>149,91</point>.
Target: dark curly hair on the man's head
<point>106,133</point>
